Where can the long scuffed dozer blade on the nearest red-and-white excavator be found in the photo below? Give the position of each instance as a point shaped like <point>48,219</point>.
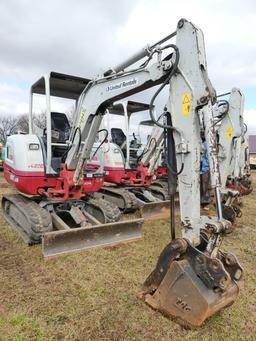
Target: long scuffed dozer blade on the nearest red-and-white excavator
<point>77,239</point>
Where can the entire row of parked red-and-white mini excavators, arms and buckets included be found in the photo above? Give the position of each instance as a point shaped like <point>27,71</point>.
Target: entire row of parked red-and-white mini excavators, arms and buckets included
<point>75,180</point>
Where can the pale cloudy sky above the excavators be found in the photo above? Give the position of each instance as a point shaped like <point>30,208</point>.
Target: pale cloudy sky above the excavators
<point>85,38</point>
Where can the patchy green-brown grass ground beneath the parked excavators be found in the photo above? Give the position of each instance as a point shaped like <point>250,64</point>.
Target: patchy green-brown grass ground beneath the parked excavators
<point>92,295</point>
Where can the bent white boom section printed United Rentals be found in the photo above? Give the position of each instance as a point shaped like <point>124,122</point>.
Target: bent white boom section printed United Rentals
<point>97,97</point>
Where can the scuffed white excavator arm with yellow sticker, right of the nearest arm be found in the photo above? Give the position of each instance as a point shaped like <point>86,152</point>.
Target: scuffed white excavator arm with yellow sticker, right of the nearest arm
<point>231,132</point>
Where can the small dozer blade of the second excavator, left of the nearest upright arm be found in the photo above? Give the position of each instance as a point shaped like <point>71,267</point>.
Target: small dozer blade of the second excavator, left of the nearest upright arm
<point>155,210</point>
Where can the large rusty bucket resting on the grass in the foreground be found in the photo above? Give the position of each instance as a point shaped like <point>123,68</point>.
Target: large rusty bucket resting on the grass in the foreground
<point>189,286</point>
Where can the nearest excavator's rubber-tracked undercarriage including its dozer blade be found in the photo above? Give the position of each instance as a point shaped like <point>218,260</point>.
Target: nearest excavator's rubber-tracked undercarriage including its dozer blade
<point>68,226</point>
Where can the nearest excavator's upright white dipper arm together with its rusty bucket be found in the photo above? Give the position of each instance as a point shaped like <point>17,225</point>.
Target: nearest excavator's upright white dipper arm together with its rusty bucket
<point>193,279</point>
